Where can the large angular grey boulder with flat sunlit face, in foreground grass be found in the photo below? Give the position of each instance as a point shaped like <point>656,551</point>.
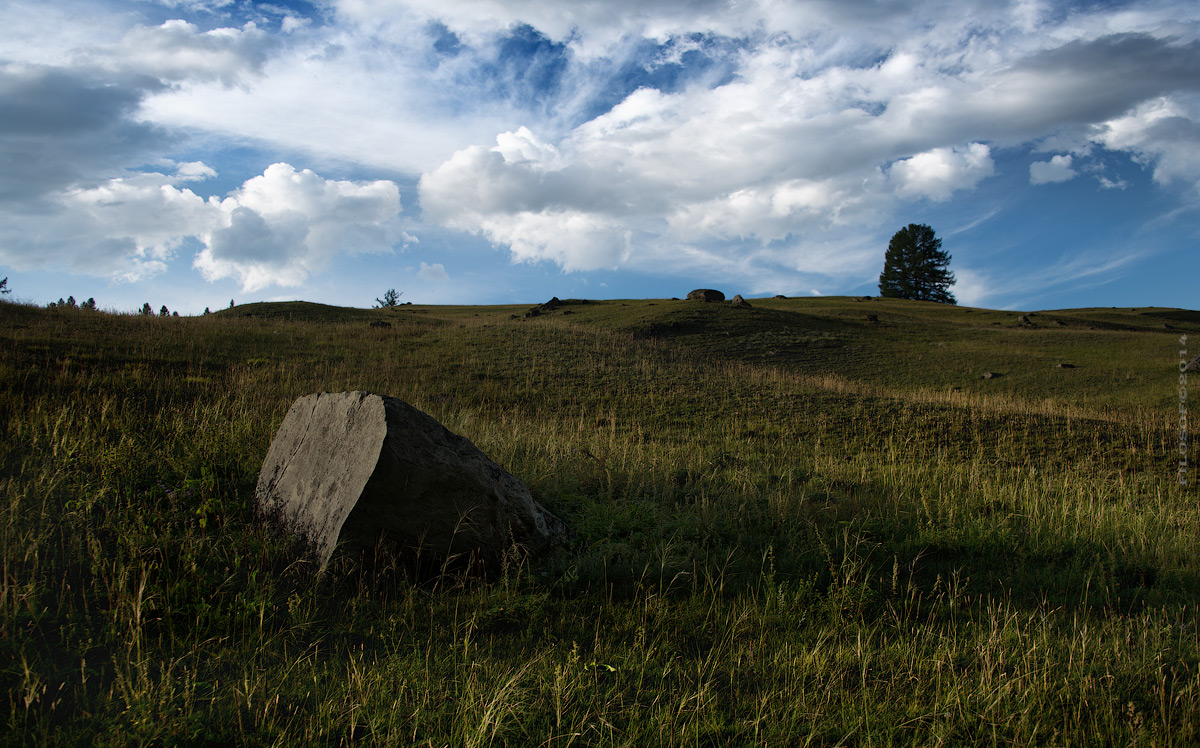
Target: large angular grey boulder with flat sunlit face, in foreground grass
<point>349,471</point>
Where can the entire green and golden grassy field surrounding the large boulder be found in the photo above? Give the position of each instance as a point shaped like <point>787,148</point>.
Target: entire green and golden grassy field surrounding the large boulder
<point>811,523</point>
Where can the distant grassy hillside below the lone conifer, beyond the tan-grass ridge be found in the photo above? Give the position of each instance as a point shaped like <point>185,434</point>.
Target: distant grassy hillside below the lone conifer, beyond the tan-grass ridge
<point>1117,356</point>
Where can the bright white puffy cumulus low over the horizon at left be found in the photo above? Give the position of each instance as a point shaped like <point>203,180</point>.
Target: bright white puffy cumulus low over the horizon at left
<point>278,230</point>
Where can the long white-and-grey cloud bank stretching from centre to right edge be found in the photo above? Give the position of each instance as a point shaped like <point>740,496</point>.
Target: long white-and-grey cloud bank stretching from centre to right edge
<point>790,151</point>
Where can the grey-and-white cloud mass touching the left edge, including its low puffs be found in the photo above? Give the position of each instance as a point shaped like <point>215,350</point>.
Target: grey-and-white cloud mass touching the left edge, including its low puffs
<point>65,130</point>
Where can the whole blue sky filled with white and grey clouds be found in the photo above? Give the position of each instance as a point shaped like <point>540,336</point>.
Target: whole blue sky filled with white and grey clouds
<point>191,153</point>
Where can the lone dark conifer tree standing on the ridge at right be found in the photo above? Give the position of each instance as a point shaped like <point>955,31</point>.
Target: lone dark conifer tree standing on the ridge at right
<point>916,267</point>
